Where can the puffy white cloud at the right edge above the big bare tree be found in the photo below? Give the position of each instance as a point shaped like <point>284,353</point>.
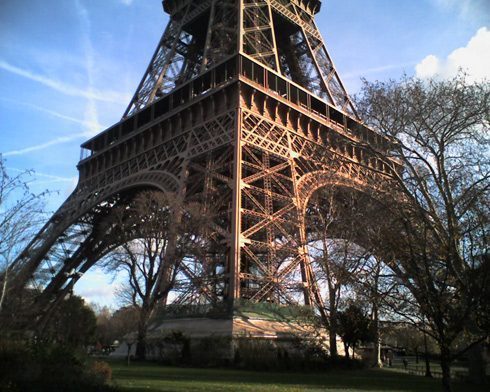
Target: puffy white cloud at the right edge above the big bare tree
<point>474,59</point>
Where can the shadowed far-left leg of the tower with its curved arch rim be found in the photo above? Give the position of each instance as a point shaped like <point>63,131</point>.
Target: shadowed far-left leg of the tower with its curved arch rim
<point>70,244</point>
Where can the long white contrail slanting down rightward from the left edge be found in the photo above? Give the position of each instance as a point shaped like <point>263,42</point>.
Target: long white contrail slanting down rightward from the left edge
<point>66,89</point>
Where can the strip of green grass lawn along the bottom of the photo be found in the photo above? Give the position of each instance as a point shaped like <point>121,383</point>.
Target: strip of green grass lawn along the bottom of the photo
<point>153,377</point>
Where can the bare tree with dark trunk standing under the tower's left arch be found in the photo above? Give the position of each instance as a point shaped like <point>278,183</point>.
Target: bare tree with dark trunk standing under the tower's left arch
<point>157,233</point>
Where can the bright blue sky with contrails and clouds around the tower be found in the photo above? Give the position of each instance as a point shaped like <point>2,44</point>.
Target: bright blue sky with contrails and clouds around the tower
<point>68,69</point>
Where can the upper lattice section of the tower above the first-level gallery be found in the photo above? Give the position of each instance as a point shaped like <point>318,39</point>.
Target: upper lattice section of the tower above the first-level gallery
<point>180,57</point>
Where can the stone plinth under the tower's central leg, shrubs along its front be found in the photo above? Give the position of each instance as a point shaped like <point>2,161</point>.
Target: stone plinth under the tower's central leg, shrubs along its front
<point>239,341</point>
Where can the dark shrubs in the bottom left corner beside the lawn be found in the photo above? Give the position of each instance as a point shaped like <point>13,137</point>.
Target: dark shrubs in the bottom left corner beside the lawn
<point>42,367</point>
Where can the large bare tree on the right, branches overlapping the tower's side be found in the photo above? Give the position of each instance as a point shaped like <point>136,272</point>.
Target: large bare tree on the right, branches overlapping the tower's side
<point>437,236</point>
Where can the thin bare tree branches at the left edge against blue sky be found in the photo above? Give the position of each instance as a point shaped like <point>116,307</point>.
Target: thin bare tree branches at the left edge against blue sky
<point>21,213</point>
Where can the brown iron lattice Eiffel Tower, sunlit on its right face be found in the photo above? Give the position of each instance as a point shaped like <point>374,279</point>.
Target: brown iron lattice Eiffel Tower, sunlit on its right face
<point>242,100</point>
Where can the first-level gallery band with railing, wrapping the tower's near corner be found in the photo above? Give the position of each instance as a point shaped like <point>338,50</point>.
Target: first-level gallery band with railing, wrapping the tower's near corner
<point>222,74</point>
